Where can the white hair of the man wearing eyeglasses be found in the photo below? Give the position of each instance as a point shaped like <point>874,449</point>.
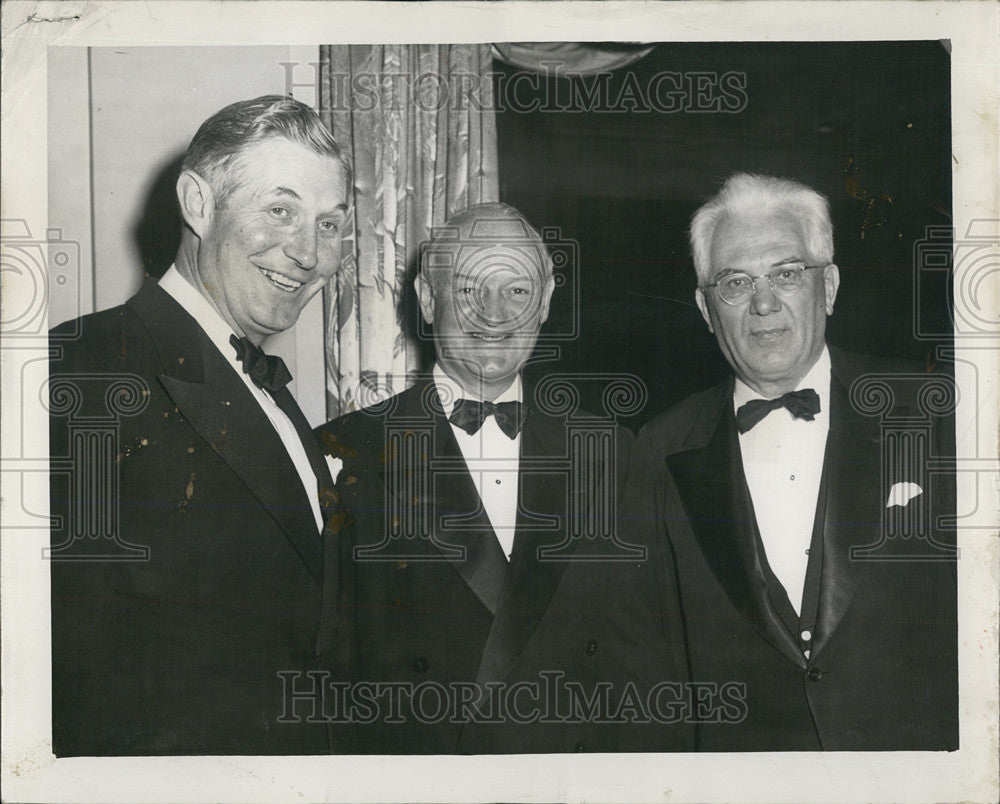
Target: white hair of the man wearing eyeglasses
<point>752,193</point>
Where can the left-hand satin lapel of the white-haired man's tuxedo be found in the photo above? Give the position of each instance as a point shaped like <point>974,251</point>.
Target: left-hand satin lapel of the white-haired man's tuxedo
<point>713,488</point>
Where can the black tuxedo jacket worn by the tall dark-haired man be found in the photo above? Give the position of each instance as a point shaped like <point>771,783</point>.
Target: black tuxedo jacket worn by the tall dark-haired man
<point>179,652</point>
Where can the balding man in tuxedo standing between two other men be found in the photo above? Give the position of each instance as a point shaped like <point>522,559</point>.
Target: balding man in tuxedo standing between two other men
<point>478,613</point>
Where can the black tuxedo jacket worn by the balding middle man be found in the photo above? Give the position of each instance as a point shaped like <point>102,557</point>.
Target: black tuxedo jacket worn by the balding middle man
<point>430,603</point>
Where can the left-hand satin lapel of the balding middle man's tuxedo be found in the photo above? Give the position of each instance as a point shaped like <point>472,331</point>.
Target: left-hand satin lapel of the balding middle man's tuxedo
<point>438,484</point>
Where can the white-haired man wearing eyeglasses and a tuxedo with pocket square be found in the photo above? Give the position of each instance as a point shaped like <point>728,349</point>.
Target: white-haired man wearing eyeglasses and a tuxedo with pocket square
<point>807,559</point>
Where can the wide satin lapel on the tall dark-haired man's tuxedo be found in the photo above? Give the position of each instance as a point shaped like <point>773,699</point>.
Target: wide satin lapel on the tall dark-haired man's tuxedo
<point>220,408</point>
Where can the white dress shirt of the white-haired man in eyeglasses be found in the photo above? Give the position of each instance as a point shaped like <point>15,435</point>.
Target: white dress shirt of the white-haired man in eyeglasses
<point>783,465</point>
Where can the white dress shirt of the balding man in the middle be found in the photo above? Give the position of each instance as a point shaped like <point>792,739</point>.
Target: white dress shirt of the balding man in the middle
<point>492,458</point>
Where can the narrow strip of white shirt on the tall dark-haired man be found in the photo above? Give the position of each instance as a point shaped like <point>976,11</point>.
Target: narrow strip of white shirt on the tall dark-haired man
<point>218,331</point>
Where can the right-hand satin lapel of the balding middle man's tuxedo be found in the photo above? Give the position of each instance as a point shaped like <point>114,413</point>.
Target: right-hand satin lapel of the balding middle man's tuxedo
<point>544,498</point>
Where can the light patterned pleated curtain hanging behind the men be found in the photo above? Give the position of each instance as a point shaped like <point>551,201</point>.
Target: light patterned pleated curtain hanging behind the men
<point>418,124</point>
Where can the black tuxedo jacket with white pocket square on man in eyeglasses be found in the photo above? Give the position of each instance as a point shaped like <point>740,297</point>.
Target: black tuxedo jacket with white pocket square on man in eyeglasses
<point>882,669</point>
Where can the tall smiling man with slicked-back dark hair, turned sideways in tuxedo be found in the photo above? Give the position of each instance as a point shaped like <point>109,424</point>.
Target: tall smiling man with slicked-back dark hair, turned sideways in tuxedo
<point>173,618</point>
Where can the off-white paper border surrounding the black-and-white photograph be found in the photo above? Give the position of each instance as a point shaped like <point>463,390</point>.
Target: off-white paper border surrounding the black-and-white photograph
<point>31,773</point>
